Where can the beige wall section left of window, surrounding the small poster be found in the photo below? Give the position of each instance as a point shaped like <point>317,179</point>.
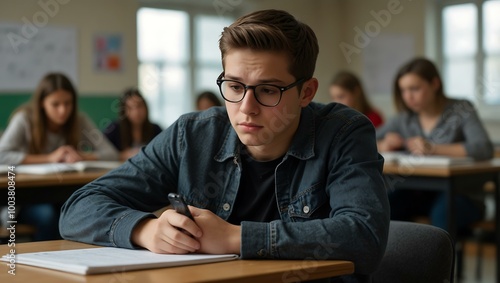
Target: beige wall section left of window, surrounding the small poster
<point>89,17</point>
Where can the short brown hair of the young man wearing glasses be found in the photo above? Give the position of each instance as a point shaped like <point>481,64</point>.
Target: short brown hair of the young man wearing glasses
<point>274,30</point>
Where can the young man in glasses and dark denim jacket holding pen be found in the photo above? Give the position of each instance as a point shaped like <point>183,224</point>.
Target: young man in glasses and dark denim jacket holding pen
<point>271,175</point>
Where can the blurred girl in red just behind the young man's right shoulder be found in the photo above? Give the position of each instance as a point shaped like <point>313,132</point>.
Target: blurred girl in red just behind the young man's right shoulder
<point>346,88</point>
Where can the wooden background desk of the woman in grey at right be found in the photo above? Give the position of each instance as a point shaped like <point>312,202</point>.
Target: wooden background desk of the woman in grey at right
<point>451,180</point>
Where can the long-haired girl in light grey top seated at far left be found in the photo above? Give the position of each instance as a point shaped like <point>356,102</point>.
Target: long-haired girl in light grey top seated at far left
<point>49,129</point>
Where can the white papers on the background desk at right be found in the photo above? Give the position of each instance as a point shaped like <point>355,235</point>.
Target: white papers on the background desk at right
<point>406,159</point>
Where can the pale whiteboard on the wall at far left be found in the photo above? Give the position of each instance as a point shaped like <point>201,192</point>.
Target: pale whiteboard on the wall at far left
<point>28,52</point>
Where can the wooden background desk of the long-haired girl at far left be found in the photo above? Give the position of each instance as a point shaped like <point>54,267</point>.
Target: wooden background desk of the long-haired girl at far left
<point>50,188</point>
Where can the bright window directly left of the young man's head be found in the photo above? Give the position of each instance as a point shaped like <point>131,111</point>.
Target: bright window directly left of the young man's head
<point>178,58</point>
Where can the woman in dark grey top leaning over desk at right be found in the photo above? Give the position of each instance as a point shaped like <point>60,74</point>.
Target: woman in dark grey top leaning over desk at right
<point>429,123</point>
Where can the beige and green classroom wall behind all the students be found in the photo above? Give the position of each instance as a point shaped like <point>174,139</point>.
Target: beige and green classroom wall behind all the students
<point>333,21</point>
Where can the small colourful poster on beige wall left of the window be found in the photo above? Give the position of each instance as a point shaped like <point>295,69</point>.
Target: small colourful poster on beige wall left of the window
<point>108,52</point>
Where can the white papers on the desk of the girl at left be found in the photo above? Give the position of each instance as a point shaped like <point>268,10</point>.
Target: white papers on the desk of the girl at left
<point>48,168</point>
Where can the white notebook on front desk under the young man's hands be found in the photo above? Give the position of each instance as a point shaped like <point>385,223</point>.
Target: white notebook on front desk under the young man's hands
<point>108,260</point>
